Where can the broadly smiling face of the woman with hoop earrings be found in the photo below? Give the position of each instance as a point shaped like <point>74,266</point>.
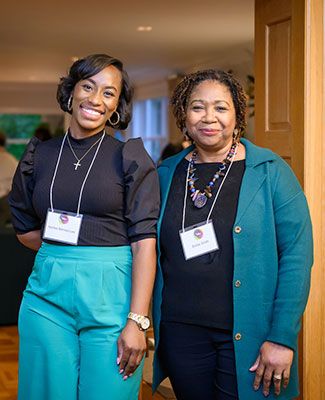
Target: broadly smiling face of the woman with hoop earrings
<point>94,101</point>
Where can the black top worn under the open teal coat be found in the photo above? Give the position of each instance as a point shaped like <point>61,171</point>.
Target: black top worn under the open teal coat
<point>199,290</point>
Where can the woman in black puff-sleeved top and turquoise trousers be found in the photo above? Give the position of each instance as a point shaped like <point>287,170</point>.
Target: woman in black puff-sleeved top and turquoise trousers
<point>88,204</point>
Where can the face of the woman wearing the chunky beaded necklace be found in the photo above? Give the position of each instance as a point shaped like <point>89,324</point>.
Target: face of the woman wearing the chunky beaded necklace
<point>211,117</point>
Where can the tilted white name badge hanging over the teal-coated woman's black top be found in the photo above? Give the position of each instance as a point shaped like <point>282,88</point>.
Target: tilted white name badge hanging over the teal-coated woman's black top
<point>198,239</point>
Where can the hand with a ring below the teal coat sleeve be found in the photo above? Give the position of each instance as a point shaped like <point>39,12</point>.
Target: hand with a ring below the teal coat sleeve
<point>274,362</point>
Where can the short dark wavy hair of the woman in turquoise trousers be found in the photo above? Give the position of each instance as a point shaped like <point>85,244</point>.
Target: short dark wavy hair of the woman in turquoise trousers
<point>89,66</point>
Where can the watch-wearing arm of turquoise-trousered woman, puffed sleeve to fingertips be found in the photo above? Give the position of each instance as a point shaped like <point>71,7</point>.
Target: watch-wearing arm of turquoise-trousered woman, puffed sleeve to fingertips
<point>141,214</point>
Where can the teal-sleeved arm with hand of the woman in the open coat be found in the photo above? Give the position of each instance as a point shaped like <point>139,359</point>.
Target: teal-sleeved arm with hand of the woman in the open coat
<point>294,241</point>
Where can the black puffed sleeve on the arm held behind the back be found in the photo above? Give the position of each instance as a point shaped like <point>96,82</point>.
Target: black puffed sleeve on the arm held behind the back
<point>24,218</point>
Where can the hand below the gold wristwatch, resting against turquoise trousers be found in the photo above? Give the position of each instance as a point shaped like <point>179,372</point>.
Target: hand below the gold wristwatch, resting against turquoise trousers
<point>131,346</point>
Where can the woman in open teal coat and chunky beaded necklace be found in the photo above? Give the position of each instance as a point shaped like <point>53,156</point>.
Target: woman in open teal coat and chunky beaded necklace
<point>235,253</point>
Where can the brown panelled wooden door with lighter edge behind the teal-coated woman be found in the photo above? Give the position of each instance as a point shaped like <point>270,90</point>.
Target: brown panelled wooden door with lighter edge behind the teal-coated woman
<point>289,119</point>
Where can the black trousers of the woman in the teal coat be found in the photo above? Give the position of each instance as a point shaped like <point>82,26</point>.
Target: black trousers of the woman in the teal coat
<point>200,361</point>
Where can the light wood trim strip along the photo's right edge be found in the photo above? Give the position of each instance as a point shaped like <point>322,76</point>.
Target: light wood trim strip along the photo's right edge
<point>314,185</point>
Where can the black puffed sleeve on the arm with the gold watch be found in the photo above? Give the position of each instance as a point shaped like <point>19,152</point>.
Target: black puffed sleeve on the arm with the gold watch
<point>142,191</point>
